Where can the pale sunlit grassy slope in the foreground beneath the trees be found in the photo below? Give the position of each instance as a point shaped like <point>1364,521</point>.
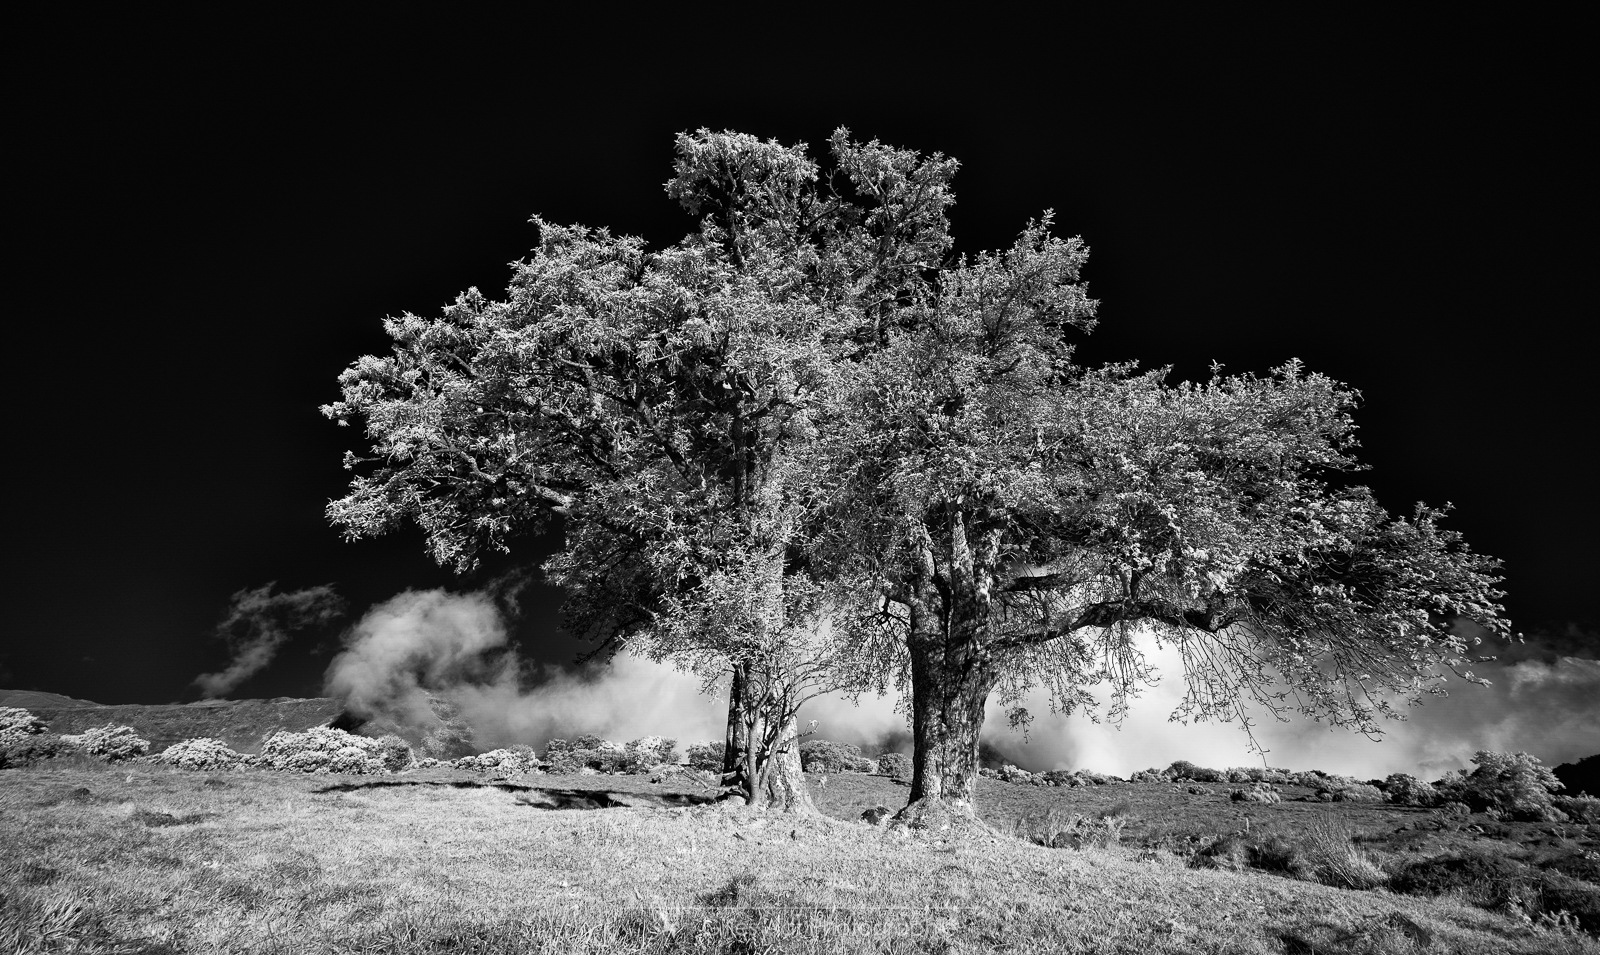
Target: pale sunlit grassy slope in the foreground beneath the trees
<point>263,863</point>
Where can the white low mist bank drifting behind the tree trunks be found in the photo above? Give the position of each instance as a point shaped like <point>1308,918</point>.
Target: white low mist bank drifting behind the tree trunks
<point>455,647</point>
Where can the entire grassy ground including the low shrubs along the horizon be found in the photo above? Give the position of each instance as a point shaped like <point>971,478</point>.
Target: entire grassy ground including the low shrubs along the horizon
<point>199,849</point>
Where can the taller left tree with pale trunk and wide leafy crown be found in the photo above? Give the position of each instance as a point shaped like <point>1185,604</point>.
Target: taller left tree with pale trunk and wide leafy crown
<point>660,410</point>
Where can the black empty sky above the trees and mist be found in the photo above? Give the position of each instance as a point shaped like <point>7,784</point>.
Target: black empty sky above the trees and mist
<point>210,222</point>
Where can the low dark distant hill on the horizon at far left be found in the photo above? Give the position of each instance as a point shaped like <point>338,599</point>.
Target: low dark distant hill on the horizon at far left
<point>241,724</point>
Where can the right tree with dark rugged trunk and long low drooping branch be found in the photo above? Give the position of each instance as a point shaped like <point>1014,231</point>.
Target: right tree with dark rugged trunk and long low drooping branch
<point>1026,519</point>
